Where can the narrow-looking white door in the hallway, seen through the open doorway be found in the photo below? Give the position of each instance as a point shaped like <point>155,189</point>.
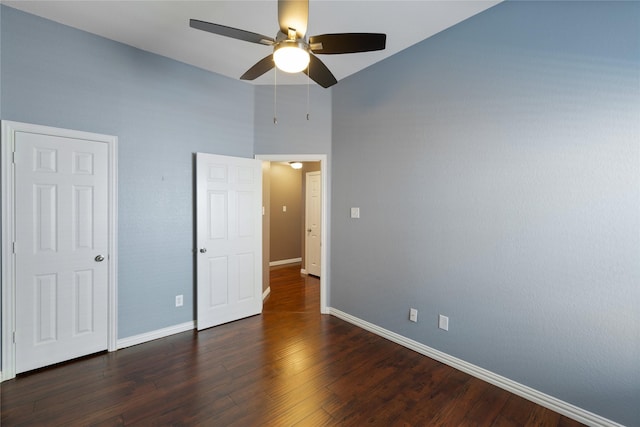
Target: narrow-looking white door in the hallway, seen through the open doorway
<point>313,222</point>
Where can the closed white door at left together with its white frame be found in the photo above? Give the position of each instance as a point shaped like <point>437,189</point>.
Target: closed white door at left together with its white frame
<point>66,250</point>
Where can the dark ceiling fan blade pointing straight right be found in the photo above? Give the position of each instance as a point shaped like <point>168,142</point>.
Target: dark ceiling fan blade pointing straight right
<point>331,44</point>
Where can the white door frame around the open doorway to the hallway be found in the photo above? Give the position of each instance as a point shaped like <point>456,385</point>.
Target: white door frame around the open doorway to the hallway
<point>326,197</point>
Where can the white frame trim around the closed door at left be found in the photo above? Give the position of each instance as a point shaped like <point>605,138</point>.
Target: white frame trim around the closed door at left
<point>7,178</point>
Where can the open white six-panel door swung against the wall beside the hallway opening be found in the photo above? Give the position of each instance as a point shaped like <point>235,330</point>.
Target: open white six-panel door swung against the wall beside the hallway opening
<point>229,238</point>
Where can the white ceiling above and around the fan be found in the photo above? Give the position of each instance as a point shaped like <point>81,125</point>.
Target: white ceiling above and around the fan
<point>162,27</point>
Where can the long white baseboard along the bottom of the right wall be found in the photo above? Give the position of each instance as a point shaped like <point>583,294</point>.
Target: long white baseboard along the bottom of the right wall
<point>521,390</point>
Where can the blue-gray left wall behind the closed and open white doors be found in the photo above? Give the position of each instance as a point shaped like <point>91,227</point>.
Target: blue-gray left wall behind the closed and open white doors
<point>162,112</point>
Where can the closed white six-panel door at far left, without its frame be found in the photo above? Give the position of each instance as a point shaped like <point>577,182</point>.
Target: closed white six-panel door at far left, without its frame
<point>61,228</point>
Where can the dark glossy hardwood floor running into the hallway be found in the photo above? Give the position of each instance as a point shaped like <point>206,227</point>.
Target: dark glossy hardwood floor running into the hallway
<point>288,366</point>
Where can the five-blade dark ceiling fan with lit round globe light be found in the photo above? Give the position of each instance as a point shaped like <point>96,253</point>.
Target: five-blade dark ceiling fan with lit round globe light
<point>292,52</point>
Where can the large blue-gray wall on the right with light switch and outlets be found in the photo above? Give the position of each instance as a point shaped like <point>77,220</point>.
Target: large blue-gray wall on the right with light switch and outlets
<point>497,169</point>
